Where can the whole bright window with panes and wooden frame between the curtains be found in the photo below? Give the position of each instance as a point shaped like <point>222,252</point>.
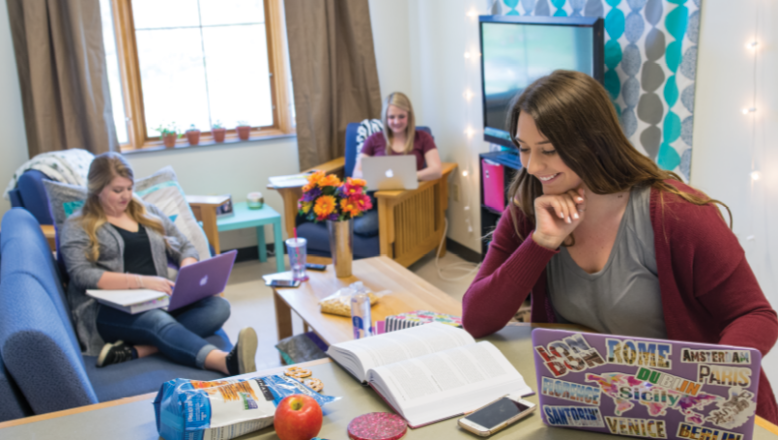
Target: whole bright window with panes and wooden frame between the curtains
<point>184,63</point>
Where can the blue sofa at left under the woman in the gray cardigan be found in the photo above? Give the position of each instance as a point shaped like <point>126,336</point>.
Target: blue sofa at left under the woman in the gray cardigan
<point>38,346</point>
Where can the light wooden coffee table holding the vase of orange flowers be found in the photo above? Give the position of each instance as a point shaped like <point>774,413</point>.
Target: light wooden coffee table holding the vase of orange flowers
<point>408,293</point>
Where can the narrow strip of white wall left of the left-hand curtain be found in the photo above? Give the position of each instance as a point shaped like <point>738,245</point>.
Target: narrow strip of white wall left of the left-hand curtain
<point>13,140</point>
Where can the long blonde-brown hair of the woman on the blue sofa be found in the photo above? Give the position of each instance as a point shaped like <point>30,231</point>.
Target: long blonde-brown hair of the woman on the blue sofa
<point>102,171</point>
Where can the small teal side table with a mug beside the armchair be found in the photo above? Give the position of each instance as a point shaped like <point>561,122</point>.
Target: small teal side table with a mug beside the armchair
<point>257,218</point>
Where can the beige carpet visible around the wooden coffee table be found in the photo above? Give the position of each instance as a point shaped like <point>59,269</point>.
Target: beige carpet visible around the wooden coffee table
<point>252,301</point>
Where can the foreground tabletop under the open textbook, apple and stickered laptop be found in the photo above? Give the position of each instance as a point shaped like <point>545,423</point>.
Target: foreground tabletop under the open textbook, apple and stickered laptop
<point>134,418</point>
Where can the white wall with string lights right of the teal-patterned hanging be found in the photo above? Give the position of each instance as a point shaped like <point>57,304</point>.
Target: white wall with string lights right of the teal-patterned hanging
<point>728,144</point>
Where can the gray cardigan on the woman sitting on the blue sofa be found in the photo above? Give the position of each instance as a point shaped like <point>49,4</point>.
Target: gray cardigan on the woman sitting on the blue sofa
<point>84,273</point>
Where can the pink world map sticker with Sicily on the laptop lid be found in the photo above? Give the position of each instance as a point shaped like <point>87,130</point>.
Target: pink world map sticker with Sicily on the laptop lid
<point>627,389</point>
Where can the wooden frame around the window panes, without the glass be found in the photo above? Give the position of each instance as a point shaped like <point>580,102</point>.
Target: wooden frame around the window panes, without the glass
<point>132,89</point>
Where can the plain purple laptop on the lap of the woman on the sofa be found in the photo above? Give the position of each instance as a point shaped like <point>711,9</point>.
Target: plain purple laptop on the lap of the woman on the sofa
<point>202,279</point>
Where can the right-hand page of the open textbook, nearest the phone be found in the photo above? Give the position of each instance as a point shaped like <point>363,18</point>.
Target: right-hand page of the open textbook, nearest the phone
<point>448,383</point>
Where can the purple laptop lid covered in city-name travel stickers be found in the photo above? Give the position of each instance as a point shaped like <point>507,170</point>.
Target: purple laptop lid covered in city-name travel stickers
<point>641,387</point>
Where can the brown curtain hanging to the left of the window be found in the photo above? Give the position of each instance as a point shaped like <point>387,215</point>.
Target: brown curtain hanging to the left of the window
<point>62,73</point>
